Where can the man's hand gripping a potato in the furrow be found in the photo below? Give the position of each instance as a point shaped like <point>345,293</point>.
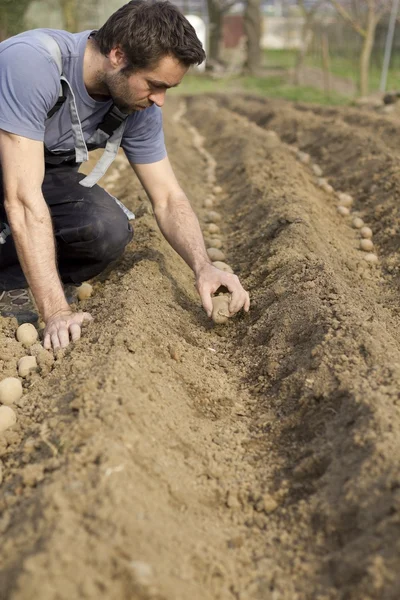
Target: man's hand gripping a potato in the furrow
<point>209,279</point>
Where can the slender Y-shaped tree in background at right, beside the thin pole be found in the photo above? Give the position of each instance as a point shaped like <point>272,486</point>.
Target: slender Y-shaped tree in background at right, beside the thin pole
<point>363,16</point>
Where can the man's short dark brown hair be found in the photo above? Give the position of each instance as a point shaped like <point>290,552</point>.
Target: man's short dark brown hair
<point>147,31</point>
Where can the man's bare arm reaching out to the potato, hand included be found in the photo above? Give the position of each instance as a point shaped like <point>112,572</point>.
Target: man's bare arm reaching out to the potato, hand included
<point>181,228</point>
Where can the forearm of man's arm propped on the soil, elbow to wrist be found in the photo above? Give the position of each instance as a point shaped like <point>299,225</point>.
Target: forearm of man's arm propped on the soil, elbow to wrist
<point>31,227</point>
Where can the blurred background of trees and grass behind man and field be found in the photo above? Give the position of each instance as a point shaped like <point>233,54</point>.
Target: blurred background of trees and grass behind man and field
<point>326,51</point>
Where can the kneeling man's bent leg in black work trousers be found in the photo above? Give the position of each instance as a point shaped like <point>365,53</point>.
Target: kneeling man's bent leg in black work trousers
<point>90,230</point>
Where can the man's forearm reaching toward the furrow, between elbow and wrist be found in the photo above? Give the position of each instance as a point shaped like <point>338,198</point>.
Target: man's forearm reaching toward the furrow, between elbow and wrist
<point>181,229</point>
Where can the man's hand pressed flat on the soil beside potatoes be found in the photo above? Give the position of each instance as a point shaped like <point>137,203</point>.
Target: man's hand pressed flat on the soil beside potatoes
<point>62,326</point>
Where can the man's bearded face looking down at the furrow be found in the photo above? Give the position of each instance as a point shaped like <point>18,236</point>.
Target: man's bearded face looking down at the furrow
<point>137,91</point>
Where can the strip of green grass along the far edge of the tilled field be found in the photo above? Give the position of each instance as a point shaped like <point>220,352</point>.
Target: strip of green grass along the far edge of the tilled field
<point>272,87</point>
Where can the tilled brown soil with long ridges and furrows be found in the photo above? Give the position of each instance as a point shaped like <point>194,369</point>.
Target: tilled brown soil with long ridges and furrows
<point>165,458</point>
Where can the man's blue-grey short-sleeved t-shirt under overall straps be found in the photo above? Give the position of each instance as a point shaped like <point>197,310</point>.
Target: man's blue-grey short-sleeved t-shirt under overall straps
<point>30,86</point>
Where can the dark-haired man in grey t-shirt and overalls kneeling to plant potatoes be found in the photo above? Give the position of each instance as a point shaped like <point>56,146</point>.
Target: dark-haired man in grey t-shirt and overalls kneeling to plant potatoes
<point>48,209</point>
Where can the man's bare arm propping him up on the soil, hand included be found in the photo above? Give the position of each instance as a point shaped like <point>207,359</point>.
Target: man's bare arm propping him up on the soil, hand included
<point>22,163</point>
